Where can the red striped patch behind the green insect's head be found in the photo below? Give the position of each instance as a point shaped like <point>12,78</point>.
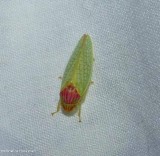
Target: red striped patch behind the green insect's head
<point>70,94</point>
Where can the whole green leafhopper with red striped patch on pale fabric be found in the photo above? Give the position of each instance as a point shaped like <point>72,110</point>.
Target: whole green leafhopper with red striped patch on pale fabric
<point>76,78</point>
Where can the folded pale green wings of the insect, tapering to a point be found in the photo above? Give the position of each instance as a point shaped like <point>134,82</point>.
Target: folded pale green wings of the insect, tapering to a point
<point>79,68</point>
